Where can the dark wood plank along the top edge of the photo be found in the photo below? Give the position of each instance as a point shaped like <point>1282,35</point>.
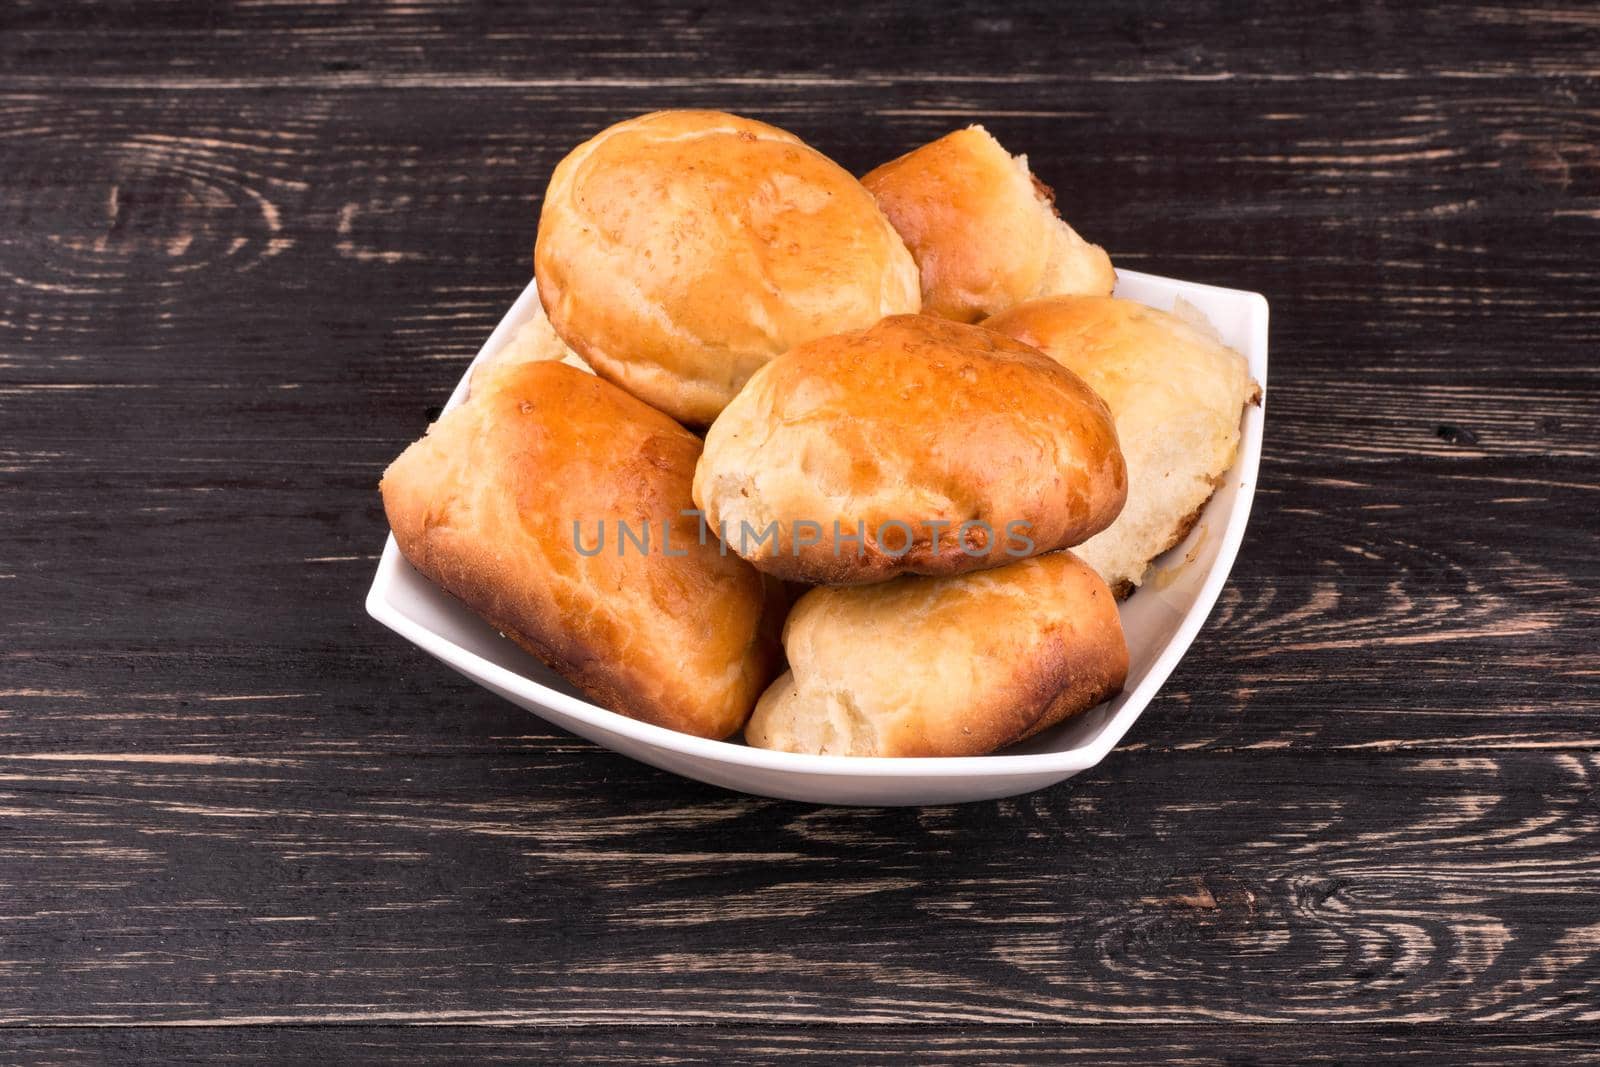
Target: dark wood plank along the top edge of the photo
<point>647,46</point>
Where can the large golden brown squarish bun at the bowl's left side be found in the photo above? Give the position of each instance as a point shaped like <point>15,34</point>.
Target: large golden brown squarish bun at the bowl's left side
<point>486,505</point>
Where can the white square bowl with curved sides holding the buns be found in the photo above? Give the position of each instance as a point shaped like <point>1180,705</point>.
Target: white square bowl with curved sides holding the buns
<point>1161,621</point>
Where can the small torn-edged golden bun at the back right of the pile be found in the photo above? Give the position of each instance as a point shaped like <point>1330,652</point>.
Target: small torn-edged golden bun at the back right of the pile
<point>983,230</point>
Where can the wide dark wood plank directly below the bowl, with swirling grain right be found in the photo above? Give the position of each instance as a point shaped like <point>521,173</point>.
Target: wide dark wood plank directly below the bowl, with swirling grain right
<point>558,890</point>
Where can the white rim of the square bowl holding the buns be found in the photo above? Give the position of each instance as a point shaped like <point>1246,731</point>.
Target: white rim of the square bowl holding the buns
<point>1063,762</point>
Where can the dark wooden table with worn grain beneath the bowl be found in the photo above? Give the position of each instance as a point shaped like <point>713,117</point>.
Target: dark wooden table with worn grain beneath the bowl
<point>246,250</point>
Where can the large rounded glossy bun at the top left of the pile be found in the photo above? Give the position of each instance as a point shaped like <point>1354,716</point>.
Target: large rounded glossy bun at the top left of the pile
<point>682,250</point>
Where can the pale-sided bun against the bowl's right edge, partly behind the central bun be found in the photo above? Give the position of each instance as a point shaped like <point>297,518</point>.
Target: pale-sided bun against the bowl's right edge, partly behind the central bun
<point>1177,393</point>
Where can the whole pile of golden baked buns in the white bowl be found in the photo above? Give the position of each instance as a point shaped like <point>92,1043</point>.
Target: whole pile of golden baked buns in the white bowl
<point>892,433</point>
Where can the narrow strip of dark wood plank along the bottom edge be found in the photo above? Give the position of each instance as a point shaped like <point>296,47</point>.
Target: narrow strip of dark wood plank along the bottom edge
<point>1113,1045</point>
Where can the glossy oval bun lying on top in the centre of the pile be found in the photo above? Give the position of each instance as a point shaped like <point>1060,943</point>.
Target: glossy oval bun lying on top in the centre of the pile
<point>902,434</point>
